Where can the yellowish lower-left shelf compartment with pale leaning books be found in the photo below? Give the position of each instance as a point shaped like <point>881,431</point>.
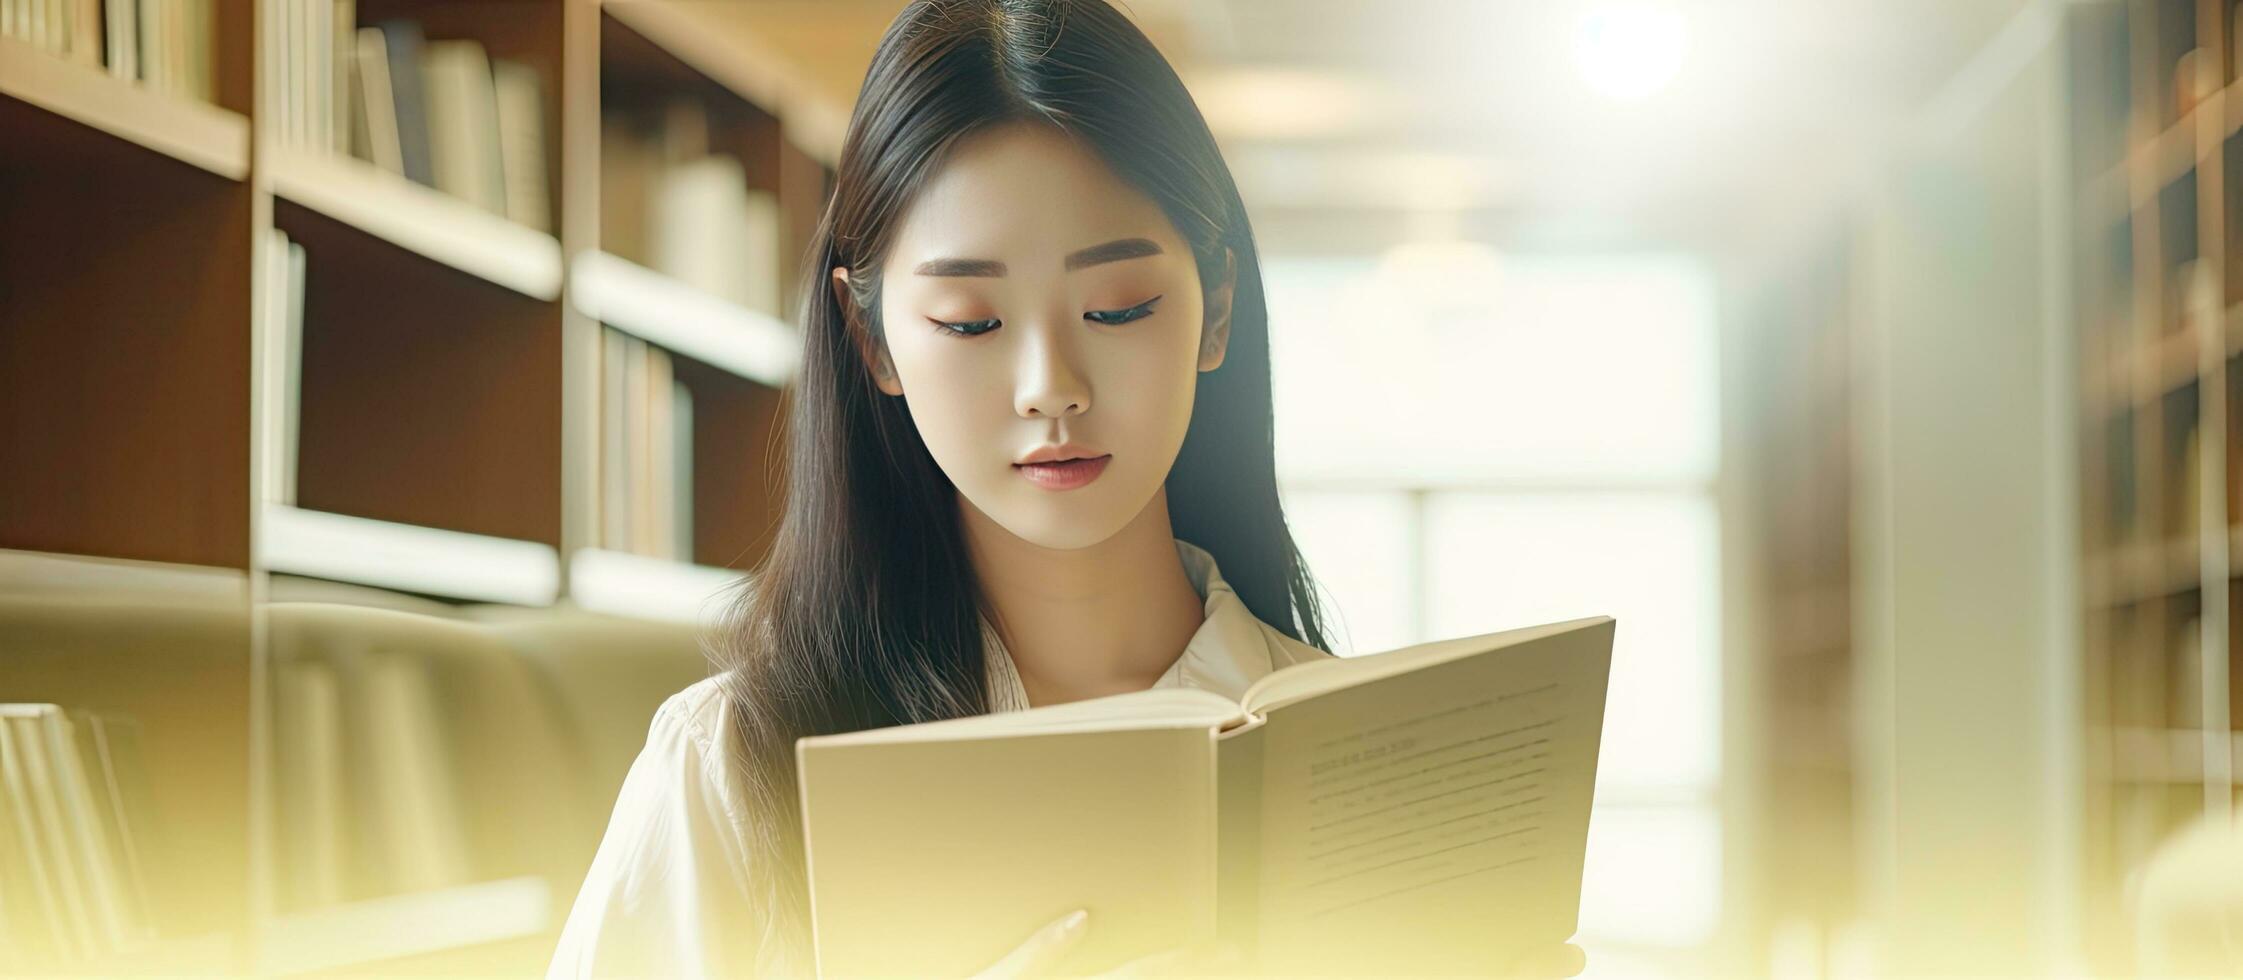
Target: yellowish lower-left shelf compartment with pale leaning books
<point>124,766</point>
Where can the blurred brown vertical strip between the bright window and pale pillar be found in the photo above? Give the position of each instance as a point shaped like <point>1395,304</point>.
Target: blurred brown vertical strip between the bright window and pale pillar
<point>1798,400</point>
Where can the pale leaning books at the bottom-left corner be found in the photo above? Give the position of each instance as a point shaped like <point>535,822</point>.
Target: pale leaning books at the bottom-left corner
<point>75,838</point>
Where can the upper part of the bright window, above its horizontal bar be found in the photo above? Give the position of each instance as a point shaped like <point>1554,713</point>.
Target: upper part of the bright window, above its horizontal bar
<point>1497,369</point>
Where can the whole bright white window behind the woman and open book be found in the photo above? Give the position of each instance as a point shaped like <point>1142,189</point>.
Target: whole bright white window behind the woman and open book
<point>1473,443</point>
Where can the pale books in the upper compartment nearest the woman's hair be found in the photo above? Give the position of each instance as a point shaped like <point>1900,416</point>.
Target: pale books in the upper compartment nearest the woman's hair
<point>676,205</point>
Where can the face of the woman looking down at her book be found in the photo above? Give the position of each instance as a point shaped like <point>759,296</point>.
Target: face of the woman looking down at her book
<point>1082,320</point>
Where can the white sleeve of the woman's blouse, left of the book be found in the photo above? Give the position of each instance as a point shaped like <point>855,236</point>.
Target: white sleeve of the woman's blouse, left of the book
<point>667,894</point>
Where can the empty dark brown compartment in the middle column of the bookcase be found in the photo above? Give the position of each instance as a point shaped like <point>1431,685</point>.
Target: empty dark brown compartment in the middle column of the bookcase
<point>430,398</point>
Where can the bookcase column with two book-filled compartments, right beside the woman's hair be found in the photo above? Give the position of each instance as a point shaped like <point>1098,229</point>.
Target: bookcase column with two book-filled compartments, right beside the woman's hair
<point>703,169</point>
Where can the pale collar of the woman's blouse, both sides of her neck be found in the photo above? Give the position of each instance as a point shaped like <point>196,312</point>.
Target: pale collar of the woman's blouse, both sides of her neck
<point>1226,656</point>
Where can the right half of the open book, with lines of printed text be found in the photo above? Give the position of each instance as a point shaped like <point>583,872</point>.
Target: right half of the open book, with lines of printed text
<point>1434,820</point>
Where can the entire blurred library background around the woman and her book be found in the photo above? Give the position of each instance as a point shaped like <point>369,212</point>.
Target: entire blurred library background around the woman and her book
<point>387,387</point>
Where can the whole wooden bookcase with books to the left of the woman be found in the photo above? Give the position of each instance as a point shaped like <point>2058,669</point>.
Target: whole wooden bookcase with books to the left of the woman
<point>353,320</point>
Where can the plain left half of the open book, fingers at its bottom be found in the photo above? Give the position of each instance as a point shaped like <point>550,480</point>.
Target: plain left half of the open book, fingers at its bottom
<point>941,858</point>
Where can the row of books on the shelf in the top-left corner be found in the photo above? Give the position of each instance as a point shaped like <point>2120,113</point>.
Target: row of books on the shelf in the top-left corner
<point>160,44</point>
